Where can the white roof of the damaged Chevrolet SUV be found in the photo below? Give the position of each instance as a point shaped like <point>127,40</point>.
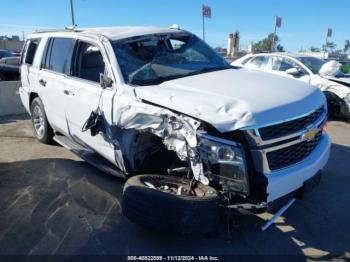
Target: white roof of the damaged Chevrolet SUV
<point>116,33</point>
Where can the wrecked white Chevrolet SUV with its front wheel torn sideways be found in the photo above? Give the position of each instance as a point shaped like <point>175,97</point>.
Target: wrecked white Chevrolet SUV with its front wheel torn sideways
<point>162,109</point>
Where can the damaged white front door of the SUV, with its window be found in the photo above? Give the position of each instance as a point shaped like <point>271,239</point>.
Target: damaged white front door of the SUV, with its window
<point>85,95</point>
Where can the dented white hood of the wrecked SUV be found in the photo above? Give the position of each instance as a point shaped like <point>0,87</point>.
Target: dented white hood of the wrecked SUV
<point>235,98</point>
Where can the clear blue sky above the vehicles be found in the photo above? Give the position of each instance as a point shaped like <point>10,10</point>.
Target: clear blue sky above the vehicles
<point>304,23</point>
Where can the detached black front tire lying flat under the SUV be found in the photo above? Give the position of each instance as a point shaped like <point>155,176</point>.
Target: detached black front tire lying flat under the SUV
<point>167,212</point>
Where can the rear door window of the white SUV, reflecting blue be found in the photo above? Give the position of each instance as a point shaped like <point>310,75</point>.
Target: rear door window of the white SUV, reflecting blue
<point>58,56</point>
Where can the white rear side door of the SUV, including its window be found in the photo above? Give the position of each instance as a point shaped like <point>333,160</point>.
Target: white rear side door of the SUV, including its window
<point>55,67</point>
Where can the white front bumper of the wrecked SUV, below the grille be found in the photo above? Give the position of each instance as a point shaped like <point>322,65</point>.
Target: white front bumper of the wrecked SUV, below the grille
<point>286,181</point>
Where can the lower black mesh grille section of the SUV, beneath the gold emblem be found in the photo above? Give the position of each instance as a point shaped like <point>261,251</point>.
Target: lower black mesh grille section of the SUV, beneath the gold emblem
<point>293,154</point>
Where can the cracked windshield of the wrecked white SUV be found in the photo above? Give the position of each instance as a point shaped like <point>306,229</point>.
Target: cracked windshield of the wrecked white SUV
<point>158,58</point>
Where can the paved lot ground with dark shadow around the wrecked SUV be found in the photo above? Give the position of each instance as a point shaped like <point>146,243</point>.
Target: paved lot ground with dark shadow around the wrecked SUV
<point>53,203</point>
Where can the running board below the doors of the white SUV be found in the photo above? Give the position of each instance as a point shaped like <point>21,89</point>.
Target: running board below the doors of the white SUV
<point>89,156</point>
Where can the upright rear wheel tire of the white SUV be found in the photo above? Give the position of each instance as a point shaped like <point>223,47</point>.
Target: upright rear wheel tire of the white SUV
<point>46,134</point>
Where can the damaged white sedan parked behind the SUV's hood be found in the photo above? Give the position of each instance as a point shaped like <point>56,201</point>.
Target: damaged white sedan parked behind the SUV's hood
<point>304,68</point>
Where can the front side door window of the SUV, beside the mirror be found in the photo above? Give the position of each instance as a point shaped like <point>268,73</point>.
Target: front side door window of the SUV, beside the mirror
<point>88,63</point>
